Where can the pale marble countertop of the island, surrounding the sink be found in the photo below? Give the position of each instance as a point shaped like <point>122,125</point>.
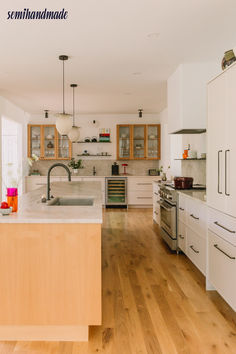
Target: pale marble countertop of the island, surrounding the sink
<point>31,210</point>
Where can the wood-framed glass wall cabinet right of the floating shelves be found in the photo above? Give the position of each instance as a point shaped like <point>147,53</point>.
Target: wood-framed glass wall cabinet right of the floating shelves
<point>138,142</point>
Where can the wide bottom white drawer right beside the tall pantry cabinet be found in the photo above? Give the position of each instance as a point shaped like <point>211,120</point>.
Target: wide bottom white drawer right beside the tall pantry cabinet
<point>196,250</point>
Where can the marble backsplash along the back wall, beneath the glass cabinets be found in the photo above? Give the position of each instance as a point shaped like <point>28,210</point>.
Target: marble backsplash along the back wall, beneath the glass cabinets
<point>103,167</point>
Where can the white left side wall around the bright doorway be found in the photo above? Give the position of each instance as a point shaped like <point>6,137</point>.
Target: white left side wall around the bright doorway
<point>10,111</point>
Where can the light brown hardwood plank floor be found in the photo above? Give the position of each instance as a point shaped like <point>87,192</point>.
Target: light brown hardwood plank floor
<point>153,300</point>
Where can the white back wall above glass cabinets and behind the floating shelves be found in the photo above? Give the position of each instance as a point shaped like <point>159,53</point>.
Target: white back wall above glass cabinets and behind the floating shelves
<point>105,121</point>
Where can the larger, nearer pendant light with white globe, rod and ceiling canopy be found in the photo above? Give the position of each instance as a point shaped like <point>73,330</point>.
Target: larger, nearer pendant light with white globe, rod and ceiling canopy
<point>63,122</point>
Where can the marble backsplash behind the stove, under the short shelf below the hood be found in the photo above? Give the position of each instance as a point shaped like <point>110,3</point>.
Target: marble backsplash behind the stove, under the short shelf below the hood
<point>195,169</point>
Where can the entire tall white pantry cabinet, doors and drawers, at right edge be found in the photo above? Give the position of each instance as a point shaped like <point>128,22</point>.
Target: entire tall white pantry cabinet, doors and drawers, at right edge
<point>221,184</point>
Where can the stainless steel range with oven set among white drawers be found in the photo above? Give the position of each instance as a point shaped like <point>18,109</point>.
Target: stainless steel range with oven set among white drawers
<point>168,215</point>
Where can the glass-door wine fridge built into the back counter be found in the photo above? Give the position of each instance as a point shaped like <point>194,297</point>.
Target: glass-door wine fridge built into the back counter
<point>116,191</point>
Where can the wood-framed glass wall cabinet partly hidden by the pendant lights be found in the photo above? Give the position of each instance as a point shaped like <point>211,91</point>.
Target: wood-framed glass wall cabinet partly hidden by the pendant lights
<point>45,142</point>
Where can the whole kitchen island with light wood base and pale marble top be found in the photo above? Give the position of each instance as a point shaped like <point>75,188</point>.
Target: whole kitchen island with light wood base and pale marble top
<point>50,266</point>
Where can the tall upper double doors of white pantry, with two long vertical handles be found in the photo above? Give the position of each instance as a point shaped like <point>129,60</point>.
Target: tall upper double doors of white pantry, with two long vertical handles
<point>221,168</point>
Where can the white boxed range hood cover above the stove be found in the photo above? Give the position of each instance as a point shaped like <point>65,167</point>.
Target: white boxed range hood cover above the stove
<point>187,96</point>
